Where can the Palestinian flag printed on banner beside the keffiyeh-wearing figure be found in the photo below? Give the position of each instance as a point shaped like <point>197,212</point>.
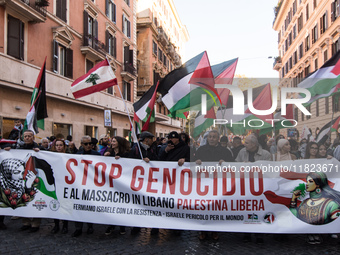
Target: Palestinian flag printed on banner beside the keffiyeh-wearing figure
<point>44,173</point>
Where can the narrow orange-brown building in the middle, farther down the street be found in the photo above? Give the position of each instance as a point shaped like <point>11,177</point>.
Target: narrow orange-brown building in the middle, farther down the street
<point>160,41</point>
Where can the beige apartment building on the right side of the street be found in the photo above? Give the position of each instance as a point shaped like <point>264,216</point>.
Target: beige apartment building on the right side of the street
<point>308,35</point>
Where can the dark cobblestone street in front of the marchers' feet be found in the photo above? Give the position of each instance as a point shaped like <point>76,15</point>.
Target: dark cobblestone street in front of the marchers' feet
<point>14,241</point>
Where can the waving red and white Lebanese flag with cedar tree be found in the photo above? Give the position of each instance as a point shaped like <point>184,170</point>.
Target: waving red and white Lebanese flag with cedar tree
<point>100,77</point>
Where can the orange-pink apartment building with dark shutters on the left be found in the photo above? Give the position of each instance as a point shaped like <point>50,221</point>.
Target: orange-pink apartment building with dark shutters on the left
<point>73,36</point>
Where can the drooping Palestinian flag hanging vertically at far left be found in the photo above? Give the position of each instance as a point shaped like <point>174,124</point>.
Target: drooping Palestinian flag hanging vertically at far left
<point>38,111</point>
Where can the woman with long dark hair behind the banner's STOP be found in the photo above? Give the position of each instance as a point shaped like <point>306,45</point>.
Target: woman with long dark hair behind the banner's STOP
<point>119,148</point>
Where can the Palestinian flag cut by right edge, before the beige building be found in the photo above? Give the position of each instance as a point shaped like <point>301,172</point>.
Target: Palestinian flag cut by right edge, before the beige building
<point>325,81</point>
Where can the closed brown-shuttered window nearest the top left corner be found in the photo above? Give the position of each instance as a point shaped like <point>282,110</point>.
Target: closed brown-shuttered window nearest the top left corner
<point>15,38</point>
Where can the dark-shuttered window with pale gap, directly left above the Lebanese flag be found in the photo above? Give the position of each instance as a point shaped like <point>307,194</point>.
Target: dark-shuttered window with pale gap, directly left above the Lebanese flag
<point>62,60</point>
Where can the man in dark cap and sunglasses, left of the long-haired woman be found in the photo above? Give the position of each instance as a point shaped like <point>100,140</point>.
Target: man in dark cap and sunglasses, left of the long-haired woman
<point>86,144</point>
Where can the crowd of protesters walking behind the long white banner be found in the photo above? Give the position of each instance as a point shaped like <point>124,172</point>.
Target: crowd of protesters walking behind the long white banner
<point>177,147</point>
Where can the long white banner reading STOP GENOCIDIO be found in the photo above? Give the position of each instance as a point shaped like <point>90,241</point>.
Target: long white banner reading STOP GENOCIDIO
<point>298,196</point>
